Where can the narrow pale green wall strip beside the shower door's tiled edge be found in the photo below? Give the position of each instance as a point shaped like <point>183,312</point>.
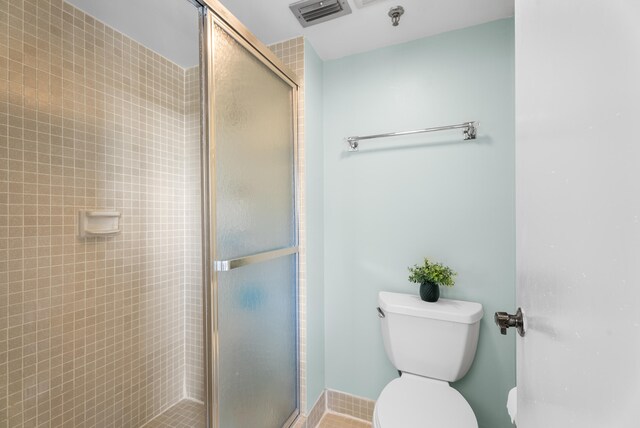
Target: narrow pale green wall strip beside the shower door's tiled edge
<point>314,193</point>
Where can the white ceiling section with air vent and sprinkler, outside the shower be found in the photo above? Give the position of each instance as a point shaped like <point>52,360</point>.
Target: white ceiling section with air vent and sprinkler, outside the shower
<point>369,27</point>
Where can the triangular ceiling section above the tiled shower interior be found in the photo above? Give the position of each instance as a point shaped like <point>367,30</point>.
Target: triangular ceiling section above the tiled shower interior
<point>168,27</point>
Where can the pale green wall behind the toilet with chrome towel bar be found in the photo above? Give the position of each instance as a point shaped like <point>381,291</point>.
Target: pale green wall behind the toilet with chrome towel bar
<point>428,195</point>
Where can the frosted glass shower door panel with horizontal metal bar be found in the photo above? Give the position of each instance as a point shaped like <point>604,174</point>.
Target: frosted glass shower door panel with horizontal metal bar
<point>254,237</point>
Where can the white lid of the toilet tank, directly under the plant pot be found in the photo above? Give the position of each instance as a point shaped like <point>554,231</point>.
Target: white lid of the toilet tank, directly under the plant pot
<point>444,309</point>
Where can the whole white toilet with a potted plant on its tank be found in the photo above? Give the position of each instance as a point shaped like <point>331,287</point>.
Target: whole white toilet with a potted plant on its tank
<point>432,344</point>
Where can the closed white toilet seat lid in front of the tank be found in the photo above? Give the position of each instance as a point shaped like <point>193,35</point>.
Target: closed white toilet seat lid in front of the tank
<point>416,402</point>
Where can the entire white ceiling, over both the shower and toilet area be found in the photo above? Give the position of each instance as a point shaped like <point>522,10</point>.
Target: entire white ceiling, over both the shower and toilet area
<point>170,27</point>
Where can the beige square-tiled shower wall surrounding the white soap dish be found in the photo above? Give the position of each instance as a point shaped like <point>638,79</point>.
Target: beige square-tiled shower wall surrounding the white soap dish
<point>94,332</point>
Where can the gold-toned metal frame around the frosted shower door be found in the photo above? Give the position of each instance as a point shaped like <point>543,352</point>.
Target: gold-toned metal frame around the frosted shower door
<point>214,13</point>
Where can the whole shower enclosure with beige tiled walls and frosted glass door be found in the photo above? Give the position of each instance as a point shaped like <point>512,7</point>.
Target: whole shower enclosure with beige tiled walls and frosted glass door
<point>173,131</point>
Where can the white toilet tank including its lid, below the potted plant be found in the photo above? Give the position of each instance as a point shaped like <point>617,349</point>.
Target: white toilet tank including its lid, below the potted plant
<point>436,340</point>
